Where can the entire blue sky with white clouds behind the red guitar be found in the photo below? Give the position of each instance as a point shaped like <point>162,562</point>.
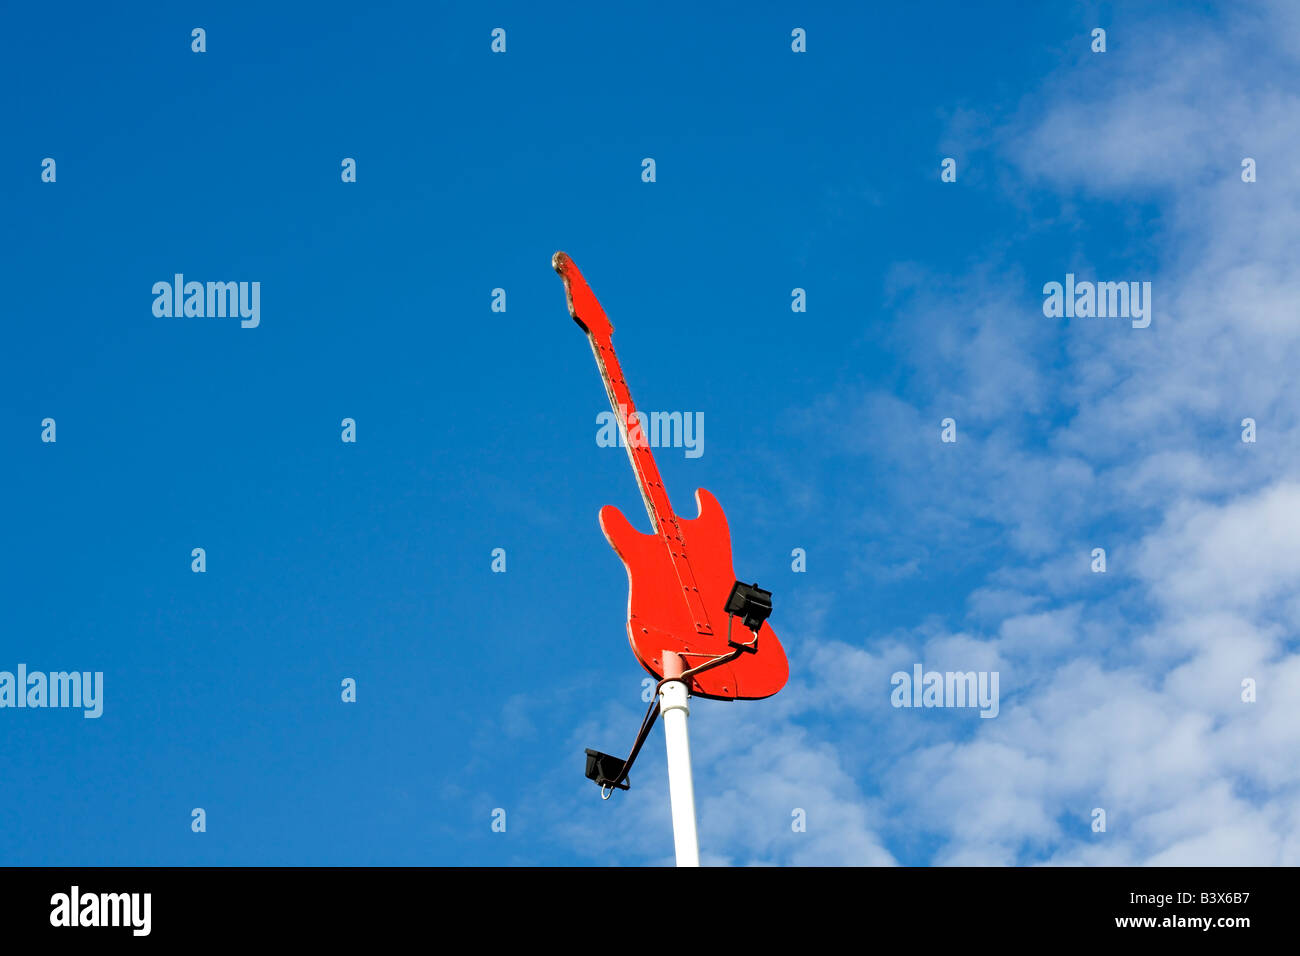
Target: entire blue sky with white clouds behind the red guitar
<point>476,430</point>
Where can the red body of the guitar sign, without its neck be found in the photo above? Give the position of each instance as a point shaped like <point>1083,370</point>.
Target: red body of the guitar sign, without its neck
<point>658,620</point>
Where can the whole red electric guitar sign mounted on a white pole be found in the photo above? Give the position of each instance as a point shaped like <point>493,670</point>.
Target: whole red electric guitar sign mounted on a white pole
<point>679,576</point>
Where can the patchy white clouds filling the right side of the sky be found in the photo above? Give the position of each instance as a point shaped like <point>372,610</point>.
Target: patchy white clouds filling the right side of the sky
<point>1125,689</point>
